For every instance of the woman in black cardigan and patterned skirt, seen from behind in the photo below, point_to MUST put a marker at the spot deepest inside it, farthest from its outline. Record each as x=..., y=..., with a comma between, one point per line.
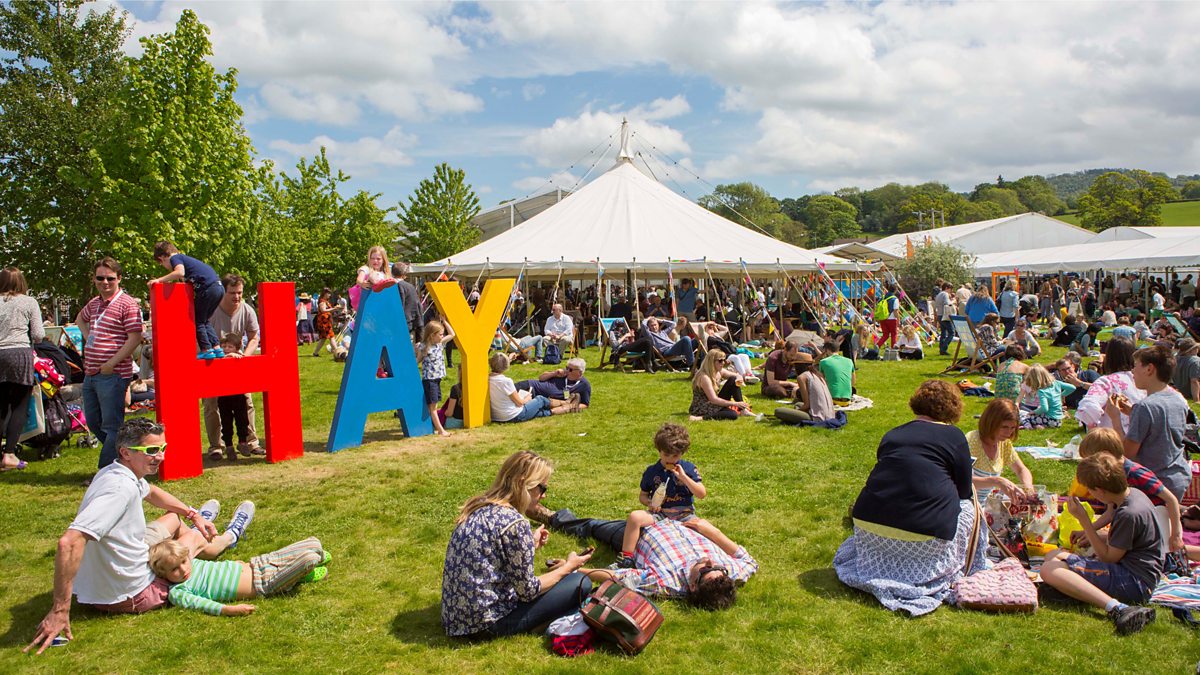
x=915, y=517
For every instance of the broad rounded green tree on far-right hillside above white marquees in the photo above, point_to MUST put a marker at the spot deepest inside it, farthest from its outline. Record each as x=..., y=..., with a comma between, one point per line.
x=1118, y=200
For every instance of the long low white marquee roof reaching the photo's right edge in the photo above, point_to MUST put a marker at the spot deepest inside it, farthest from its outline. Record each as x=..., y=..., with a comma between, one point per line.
x=1163, y=253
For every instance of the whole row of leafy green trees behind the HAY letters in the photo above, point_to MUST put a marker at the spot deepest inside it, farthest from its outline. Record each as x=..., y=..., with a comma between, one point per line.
x=104, y=156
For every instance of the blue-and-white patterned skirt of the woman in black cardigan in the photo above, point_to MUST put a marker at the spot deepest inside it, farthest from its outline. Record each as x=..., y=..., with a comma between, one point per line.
x=915, y=577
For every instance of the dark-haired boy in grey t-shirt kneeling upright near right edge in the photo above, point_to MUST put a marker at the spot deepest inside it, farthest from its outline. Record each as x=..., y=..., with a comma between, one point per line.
x=1155, y=438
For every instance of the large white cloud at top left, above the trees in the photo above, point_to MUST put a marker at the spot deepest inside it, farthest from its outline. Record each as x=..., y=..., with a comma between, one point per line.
x=326, y=62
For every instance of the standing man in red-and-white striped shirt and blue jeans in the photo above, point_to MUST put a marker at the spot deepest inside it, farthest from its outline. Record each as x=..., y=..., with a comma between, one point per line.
x=111, y=325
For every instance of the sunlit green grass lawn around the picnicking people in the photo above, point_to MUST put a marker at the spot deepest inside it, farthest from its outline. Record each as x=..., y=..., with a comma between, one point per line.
x=386, y=512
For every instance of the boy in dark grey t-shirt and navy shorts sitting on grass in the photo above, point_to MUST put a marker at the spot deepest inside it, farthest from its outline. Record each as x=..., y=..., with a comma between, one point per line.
x=1127, y=564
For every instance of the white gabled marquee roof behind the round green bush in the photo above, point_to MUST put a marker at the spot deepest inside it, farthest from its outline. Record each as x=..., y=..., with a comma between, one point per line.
x=1011, y=234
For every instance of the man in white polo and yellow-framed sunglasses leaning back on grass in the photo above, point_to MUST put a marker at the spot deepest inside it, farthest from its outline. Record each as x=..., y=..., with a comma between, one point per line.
x=104, y=557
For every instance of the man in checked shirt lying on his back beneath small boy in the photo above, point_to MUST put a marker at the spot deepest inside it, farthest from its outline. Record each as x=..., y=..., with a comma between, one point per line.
x=689, y=560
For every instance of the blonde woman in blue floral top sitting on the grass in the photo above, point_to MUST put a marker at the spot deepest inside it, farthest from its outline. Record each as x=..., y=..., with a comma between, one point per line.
x=489, y=587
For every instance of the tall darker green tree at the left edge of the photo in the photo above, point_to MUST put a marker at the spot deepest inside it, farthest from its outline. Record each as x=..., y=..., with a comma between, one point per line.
x=59, y=70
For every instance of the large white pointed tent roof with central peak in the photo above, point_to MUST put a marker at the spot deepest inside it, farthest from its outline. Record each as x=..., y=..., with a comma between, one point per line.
x=627, y=222
